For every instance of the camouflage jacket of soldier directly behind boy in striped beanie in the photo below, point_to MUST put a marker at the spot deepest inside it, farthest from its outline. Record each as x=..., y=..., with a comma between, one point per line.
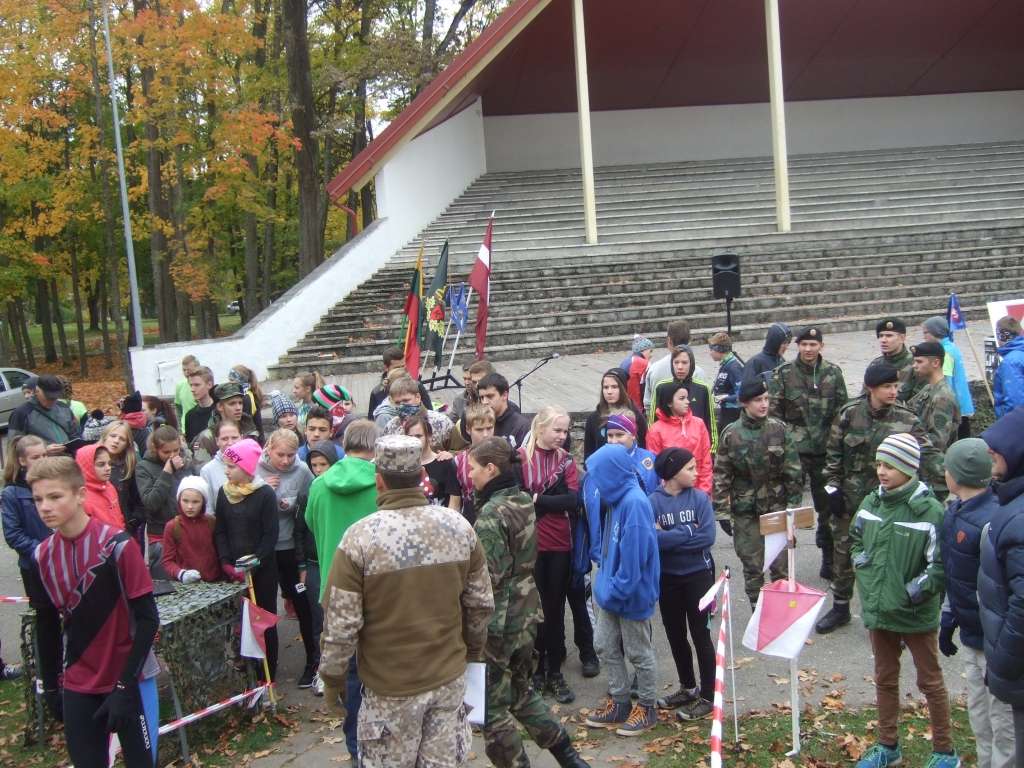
x=856, y=438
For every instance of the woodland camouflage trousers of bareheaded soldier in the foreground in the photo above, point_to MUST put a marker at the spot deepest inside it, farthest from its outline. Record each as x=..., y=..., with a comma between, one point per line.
x=510, y=697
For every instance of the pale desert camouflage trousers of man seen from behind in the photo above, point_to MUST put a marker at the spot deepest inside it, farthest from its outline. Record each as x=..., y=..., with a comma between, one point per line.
x=429, y=731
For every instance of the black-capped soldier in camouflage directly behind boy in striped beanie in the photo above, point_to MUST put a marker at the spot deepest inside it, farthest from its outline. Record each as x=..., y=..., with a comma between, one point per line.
x=859, y=431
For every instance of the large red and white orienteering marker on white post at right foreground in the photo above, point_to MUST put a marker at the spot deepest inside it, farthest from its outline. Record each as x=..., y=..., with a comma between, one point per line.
x=783, y=621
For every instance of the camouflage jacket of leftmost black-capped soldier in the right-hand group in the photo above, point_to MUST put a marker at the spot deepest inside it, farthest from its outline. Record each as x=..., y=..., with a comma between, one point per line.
x=758, y=468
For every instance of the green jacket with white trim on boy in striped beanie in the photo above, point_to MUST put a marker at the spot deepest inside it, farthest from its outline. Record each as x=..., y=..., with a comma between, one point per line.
x=895, y=548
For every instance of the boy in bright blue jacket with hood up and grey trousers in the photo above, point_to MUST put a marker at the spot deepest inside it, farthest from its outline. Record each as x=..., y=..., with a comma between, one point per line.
x=626, y=591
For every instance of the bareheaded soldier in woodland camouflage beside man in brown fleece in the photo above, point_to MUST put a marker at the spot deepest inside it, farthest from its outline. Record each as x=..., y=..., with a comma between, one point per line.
x=505, y=526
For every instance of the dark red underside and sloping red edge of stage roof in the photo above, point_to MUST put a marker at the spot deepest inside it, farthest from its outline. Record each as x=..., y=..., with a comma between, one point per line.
x=657, y=54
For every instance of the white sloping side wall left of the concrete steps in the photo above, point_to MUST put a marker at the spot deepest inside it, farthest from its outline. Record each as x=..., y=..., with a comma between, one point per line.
x=413, y=189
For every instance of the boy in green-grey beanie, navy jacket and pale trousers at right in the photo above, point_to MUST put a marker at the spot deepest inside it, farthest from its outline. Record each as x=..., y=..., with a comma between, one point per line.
x=972, y=504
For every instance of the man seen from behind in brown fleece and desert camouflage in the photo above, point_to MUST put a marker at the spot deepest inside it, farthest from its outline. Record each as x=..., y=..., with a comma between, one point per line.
x=409, y=592
